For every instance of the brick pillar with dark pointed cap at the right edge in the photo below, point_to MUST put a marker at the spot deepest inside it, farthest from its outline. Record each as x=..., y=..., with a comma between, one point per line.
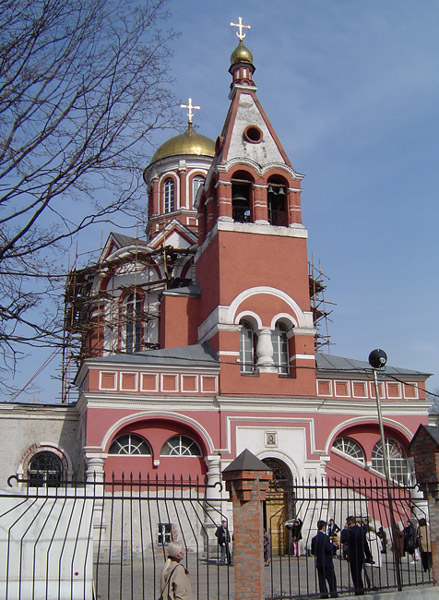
x=425, y=450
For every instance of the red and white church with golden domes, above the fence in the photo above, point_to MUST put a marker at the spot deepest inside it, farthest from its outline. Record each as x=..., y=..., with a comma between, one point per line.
x=198, y=341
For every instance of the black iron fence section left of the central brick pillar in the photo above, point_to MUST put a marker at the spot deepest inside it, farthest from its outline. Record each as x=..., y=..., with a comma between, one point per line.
x=107, y=540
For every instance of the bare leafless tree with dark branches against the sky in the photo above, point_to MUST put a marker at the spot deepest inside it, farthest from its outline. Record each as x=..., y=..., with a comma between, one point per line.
x=83, y=84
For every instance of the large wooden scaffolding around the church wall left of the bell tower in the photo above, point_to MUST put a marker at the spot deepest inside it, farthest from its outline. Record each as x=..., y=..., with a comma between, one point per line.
x=91, y=311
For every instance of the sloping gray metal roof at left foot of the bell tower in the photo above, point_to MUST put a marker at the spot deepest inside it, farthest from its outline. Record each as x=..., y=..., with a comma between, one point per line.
x=196, y=356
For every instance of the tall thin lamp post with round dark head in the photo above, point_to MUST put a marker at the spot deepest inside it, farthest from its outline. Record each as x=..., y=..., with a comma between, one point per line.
x=378, y=360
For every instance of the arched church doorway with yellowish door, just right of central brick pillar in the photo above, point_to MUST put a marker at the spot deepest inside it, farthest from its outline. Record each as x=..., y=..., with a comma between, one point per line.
x=279, y=506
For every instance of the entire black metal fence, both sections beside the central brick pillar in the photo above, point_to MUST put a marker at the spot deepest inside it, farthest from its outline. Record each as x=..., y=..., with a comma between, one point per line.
x=108, y=539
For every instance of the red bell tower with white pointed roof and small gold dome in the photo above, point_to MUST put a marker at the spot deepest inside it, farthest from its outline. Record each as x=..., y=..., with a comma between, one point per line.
x=251, y=263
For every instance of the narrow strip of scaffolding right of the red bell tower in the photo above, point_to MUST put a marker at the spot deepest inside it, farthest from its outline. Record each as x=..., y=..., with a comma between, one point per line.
x=319, y=305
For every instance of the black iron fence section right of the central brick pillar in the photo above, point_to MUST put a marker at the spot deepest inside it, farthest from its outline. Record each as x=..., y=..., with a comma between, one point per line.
x=293, y=576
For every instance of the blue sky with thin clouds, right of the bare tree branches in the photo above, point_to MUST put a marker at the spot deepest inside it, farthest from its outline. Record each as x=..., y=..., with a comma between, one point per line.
x=352, y=90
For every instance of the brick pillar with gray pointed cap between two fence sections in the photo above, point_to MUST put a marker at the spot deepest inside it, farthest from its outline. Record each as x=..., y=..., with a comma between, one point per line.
x=247, y=479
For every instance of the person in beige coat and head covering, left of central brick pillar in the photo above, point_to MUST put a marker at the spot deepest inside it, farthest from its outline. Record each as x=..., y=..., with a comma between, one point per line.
x=175, y=584
